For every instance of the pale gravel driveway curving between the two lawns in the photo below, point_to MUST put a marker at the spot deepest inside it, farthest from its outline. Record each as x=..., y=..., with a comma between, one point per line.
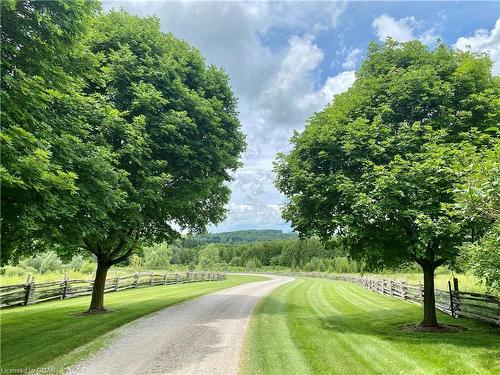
x=202, y=336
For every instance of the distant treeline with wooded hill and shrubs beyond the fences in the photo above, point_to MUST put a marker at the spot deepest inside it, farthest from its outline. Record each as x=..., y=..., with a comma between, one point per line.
x=220, y=251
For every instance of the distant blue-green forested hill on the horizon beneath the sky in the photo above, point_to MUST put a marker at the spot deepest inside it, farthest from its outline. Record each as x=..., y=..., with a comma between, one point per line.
x=243, y=236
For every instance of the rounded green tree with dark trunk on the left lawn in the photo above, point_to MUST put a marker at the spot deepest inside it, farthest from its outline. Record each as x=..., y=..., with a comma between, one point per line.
x=179, y=139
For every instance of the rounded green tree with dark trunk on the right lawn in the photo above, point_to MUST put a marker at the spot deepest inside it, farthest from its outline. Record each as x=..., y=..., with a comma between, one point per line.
x=378, y=166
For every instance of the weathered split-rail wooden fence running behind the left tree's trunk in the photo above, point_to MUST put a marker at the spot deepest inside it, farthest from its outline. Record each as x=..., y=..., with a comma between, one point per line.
x=31, y=292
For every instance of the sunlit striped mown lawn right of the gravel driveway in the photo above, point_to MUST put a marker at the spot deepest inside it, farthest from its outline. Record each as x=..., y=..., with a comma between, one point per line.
x=316, y=326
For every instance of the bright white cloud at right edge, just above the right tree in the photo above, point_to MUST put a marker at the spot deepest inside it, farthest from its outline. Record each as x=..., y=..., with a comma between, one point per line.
x=484, y=41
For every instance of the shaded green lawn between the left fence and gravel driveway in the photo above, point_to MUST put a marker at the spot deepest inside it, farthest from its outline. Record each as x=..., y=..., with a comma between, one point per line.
x=41, y=335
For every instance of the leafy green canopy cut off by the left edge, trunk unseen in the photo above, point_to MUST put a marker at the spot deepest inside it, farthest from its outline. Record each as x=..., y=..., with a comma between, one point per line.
x=45, y=118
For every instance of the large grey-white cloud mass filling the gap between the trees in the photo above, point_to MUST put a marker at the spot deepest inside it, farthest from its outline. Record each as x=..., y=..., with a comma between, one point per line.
x=278, y=88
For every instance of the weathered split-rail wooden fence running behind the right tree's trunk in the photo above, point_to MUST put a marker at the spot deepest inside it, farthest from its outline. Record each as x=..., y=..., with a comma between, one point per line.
x=453, y=302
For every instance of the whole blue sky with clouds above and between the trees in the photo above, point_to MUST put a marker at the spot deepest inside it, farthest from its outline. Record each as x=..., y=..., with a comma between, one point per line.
x=287, y=60
